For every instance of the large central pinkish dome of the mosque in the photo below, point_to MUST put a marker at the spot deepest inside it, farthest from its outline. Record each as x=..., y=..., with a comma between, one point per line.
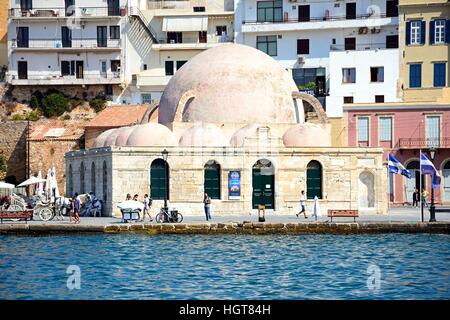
x=231, y=83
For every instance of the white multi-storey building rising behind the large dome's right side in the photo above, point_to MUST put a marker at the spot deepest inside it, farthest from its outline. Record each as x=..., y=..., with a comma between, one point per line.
x=317, y=39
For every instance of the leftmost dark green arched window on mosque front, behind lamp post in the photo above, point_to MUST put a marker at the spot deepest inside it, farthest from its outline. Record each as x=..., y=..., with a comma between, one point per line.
x=159, y=179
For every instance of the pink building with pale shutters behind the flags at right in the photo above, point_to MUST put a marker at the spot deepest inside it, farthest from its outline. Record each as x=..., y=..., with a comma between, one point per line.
x=404, y=129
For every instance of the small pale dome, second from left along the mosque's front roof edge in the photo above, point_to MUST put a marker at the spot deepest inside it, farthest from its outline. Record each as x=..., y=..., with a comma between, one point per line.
x=204, y=135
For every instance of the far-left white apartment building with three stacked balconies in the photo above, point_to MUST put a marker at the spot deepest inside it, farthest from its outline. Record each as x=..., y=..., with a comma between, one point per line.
x=66, y=43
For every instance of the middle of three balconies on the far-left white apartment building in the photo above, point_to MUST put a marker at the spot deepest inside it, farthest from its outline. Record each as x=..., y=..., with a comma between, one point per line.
x=75, y=45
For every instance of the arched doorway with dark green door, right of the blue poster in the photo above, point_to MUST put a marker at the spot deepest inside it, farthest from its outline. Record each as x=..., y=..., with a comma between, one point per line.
x=263, y=182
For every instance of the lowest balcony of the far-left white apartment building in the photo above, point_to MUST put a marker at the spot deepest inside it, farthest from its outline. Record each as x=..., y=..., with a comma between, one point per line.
x=51, y=79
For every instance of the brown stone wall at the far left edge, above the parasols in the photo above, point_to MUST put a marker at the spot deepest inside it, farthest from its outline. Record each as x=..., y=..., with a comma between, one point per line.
x=13, y=135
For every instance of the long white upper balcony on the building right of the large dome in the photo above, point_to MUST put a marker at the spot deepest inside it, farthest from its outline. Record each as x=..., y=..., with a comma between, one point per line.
x=315, y=23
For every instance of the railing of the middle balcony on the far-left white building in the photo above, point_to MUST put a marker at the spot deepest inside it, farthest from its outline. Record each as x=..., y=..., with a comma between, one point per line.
x=85, y=43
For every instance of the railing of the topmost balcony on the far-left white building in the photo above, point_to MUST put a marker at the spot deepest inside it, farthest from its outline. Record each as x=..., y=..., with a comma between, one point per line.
x=69, y=12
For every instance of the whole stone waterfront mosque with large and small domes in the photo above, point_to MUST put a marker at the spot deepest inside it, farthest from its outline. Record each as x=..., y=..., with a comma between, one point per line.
x=233, y=124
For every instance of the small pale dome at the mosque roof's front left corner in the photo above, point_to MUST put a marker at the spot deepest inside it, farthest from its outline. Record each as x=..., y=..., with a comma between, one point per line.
x=151, y=134
